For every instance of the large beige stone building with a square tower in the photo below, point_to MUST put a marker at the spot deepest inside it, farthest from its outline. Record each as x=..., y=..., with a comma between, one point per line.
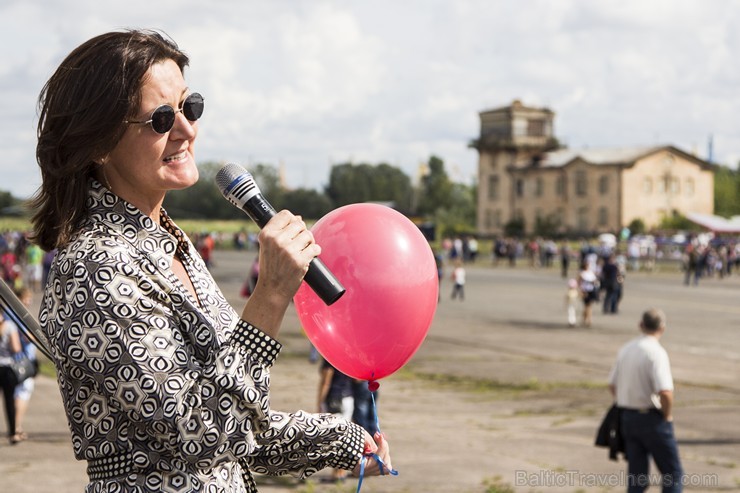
x=524, y=174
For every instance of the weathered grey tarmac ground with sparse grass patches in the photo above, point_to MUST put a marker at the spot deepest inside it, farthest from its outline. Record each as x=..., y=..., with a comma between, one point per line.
x=502, y=395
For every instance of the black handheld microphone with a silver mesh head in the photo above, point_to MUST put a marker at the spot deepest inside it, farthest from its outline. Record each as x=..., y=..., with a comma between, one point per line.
x=238, y=187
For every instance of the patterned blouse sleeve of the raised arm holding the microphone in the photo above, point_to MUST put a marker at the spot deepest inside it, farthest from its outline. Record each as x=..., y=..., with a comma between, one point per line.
x=129, y=374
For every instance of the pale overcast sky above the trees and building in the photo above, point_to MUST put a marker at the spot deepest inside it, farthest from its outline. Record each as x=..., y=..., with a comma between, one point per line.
x=308, y=84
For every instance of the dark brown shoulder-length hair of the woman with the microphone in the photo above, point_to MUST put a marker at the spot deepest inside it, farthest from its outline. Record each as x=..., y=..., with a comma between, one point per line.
x=82, y=113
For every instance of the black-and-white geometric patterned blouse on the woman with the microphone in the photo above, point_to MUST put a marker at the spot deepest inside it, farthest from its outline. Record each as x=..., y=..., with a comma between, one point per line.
x=165, y=392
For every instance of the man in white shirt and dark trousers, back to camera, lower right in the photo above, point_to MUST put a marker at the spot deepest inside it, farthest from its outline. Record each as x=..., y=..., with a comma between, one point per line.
x=642, y=384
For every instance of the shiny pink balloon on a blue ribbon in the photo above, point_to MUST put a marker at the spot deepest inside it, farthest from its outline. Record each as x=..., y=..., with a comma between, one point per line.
x=388, y=269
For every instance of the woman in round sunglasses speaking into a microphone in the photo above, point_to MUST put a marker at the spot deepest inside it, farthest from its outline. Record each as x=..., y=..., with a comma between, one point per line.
x=164, y=385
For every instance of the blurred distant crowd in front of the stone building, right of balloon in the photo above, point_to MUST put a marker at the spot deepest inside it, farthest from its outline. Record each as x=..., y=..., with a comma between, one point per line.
x=601, y=268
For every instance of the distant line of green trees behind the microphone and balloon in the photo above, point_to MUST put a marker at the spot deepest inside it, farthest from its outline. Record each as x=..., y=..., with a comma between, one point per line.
x=434, y=198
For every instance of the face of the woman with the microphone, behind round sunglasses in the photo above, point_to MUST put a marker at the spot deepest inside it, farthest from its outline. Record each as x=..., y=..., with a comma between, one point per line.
x=144, y=165
